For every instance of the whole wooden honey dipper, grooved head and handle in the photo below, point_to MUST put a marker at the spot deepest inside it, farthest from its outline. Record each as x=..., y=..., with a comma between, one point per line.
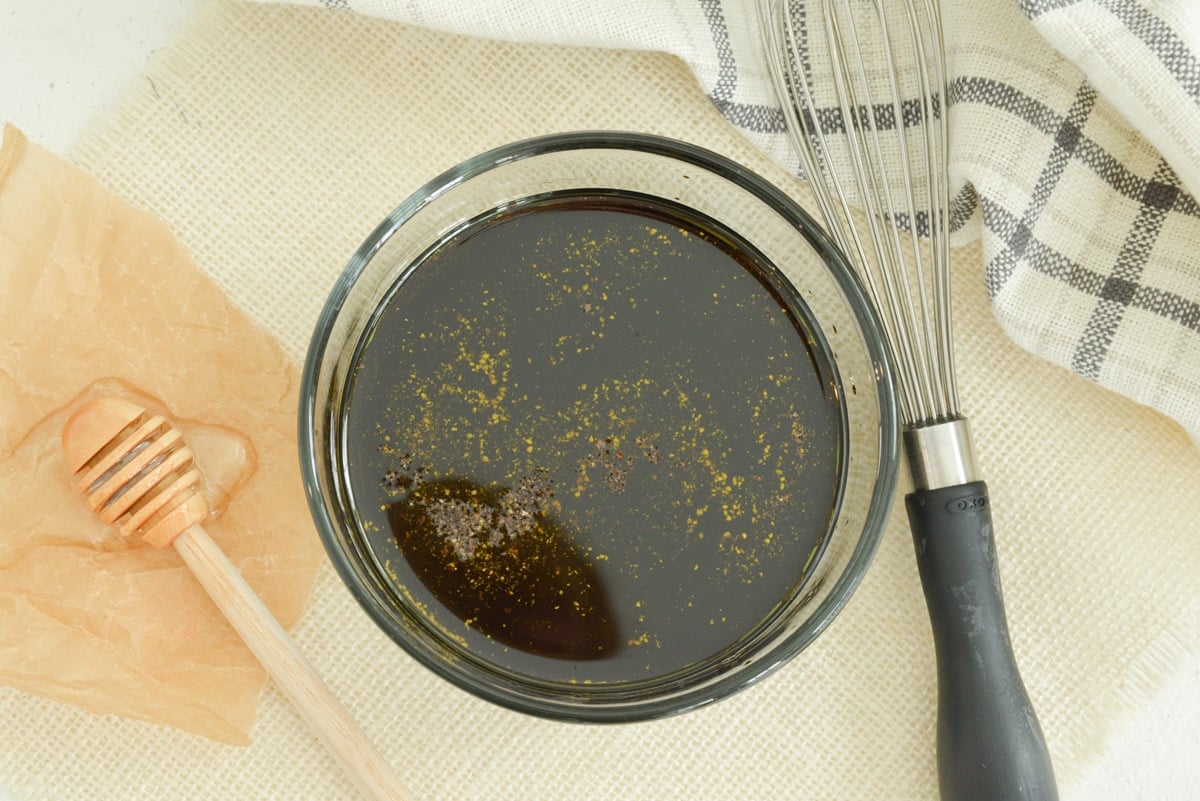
x=134, y=469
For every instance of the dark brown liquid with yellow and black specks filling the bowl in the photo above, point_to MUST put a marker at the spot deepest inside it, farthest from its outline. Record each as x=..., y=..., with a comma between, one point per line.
x=589, y=439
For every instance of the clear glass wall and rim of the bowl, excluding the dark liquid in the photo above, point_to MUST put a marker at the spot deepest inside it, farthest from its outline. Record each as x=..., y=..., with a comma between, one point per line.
x=845, y=328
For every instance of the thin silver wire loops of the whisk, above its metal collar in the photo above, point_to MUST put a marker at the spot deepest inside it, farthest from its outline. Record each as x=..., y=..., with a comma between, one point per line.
x=908, y=278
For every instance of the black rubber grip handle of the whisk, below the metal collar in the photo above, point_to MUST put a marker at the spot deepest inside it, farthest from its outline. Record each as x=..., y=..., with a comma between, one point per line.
x=989, y=743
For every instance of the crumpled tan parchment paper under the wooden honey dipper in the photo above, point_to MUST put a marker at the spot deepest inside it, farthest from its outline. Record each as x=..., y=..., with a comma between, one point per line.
x=98, y=297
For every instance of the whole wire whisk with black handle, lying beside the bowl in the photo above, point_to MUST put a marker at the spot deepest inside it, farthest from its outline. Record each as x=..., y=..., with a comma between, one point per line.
x=863, y=85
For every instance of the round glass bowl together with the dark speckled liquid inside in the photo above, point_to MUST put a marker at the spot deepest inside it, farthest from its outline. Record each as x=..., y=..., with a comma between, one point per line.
x=410, y=505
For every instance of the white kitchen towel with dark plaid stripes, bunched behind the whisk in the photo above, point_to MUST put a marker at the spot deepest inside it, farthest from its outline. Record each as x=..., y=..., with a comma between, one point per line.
x=1073, y=155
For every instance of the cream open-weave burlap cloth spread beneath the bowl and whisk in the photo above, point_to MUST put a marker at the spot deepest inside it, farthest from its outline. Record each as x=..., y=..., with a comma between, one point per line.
x=274, y=138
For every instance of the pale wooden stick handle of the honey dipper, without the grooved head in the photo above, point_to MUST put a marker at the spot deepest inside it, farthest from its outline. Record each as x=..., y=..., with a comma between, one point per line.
x=289, y=667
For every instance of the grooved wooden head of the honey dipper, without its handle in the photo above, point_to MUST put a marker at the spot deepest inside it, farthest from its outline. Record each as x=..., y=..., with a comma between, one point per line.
x=134, y=469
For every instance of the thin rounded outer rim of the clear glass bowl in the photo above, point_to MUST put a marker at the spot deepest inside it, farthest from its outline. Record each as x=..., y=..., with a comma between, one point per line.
x=849, y=282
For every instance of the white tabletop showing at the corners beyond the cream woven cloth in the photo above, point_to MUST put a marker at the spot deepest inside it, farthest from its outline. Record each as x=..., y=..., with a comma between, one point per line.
x=63, y=62
